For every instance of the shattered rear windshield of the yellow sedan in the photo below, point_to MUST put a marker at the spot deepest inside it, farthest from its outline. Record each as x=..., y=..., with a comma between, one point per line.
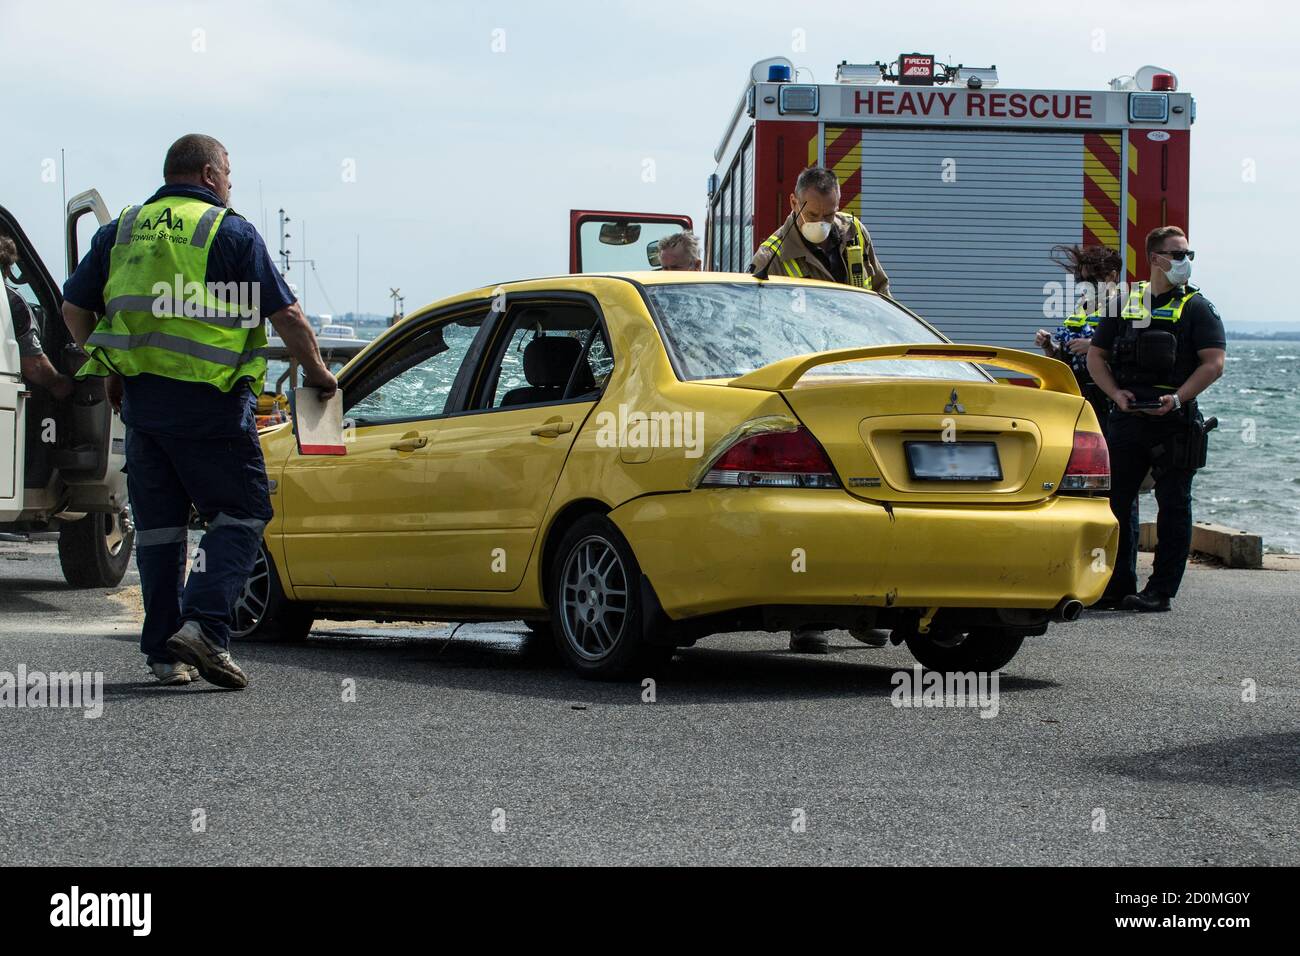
x=722, y=330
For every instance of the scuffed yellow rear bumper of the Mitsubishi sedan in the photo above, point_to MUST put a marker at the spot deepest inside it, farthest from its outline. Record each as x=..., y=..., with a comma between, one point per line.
x=713, y=551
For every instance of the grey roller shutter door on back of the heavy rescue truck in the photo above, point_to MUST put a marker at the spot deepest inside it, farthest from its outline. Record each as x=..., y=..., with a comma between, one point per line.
x=965, y=220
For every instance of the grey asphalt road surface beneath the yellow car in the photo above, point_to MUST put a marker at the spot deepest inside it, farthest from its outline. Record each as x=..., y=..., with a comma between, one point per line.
x=1120, y=739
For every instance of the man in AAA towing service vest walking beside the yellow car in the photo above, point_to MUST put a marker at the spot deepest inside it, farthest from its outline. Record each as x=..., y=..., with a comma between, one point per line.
x=183, y=284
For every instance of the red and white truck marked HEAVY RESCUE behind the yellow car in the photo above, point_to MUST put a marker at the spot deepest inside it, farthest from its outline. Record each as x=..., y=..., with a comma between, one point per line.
x=964, y=185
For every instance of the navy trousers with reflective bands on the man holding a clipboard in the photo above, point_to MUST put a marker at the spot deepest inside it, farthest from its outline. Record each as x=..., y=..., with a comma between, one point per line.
x=226, y=481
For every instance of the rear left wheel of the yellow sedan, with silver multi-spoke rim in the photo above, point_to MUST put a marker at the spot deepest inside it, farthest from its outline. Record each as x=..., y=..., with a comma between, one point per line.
x=597, y=616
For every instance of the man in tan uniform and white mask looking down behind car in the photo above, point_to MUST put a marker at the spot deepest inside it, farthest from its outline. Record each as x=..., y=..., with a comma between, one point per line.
x=818, y=241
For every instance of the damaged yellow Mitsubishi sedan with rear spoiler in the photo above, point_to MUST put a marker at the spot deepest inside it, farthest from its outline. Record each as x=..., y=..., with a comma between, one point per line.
x=634, y=462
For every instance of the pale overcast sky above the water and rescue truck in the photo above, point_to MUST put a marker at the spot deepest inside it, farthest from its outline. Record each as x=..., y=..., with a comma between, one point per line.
x=475, y=128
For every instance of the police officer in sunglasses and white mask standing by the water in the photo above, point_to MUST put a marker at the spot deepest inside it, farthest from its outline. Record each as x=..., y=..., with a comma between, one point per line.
x=1154, y=360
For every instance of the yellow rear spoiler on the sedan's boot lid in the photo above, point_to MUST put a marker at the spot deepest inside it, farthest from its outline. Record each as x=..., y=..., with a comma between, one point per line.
x=782, y=375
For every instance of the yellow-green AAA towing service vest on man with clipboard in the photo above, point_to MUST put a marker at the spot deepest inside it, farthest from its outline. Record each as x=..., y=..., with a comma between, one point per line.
x=188, y=332
